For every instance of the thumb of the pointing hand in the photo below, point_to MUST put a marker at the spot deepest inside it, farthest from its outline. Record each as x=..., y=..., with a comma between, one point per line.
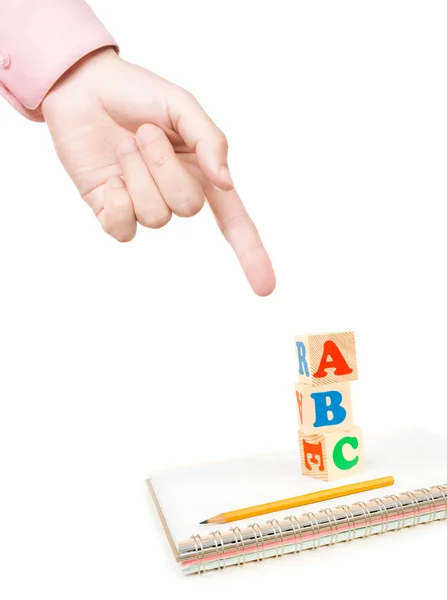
x=203, y=137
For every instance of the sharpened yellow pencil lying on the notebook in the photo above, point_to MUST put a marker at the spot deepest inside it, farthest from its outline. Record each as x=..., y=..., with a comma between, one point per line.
x=320, y=496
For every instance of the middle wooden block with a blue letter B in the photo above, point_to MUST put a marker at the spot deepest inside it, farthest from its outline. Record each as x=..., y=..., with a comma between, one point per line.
x=324, y=408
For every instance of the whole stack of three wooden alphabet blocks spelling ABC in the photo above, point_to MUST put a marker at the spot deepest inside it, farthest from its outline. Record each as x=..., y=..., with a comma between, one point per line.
x=331, y=446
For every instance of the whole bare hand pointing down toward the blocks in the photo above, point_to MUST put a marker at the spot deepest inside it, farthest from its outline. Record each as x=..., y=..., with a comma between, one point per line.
x=139, y=148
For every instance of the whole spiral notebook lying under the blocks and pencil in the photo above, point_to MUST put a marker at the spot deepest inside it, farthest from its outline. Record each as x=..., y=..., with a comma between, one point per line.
x=187, y=495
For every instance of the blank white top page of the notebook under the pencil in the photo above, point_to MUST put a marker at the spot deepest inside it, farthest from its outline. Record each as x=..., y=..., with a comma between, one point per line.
x=188, y=495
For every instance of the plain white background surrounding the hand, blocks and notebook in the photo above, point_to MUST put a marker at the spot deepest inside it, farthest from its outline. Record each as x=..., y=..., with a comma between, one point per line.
x=120, y=359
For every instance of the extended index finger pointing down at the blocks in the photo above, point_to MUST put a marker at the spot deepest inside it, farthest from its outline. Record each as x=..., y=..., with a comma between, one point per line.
x=242, y=235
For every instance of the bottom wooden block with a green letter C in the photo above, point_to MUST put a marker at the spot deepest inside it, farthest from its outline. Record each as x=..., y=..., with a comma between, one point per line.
x=332, y=456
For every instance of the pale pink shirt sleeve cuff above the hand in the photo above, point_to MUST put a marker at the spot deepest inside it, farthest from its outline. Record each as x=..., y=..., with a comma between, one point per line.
x=39, y=41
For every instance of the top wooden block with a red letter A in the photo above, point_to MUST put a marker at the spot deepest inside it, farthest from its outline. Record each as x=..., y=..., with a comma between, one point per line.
x=326, y=358
